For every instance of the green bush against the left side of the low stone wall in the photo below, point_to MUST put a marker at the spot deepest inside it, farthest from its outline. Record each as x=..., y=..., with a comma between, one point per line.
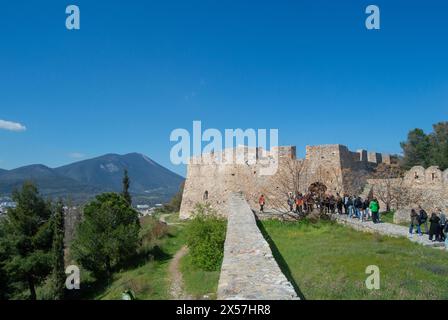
x=206, y=234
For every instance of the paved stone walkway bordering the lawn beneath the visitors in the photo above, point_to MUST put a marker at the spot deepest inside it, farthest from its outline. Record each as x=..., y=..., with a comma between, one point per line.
x=387, y=229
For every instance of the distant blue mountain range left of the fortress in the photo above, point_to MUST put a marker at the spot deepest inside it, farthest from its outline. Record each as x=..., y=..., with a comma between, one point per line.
x=80, y=181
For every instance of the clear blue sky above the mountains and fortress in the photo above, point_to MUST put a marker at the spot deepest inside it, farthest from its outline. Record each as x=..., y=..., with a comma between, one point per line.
x=139, y=69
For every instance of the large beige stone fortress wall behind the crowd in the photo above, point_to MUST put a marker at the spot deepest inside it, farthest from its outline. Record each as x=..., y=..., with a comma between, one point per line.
x=211, y=178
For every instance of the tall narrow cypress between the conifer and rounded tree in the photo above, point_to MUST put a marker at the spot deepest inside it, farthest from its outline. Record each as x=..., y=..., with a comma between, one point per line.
x=58, y=275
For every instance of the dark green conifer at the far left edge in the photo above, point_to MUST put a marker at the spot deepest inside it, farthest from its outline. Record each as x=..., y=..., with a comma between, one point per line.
x=28, y=234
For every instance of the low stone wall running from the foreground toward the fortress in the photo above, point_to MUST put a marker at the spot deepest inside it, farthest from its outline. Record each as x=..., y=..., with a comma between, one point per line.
x=249, y=270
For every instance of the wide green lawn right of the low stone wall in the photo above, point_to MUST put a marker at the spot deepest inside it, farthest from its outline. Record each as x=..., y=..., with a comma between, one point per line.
x=328, y=261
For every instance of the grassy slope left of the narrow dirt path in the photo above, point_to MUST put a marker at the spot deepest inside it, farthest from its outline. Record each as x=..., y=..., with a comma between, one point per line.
x=149, y=280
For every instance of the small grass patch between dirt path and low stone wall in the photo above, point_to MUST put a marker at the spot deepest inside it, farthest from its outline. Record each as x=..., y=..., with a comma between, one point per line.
x=198, y=283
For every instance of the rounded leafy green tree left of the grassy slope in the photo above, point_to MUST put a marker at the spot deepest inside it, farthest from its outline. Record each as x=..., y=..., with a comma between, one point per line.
x=107, y=236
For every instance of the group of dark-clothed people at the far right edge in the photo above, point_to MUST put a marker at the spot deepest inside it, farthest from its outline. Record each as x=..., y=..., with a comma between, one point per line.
x=438, y=226
